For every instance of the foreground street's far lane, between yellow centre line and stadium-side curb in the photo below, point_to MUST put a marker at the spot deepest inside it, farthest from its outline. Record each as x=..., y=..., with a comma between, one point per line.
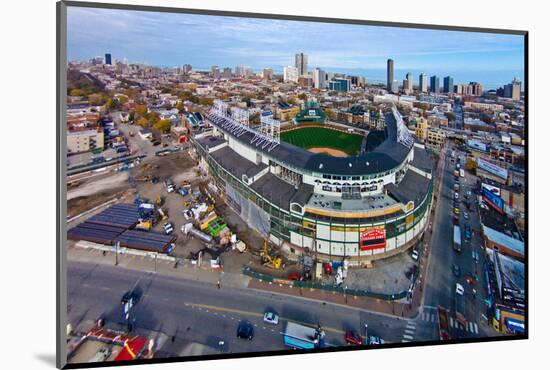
x=159, y=289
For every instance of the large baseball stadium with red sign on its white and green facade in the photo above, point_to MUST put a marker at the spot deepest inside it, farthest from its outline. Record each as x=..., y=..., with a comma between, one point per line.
x=316, y=186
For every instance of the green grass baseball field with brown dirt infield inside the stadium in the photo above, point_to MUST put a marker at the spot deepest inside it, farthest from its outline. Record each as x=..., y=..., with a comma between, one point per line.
x=324, y=140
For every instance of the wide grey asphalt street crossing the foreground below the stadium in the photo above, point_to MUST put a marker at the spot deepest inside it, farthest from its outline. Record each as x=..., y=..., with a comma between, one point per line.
x=197, y=312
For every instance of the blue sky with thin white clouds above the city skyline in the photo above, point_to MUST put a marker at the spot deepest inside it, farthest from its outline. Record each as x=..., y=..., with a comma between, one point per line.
x=168, y=39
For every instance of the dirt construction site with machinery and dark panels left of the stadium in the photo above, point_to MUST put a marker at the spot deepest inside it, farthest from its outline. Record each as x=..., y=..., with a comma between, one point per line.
x=166, y=206
